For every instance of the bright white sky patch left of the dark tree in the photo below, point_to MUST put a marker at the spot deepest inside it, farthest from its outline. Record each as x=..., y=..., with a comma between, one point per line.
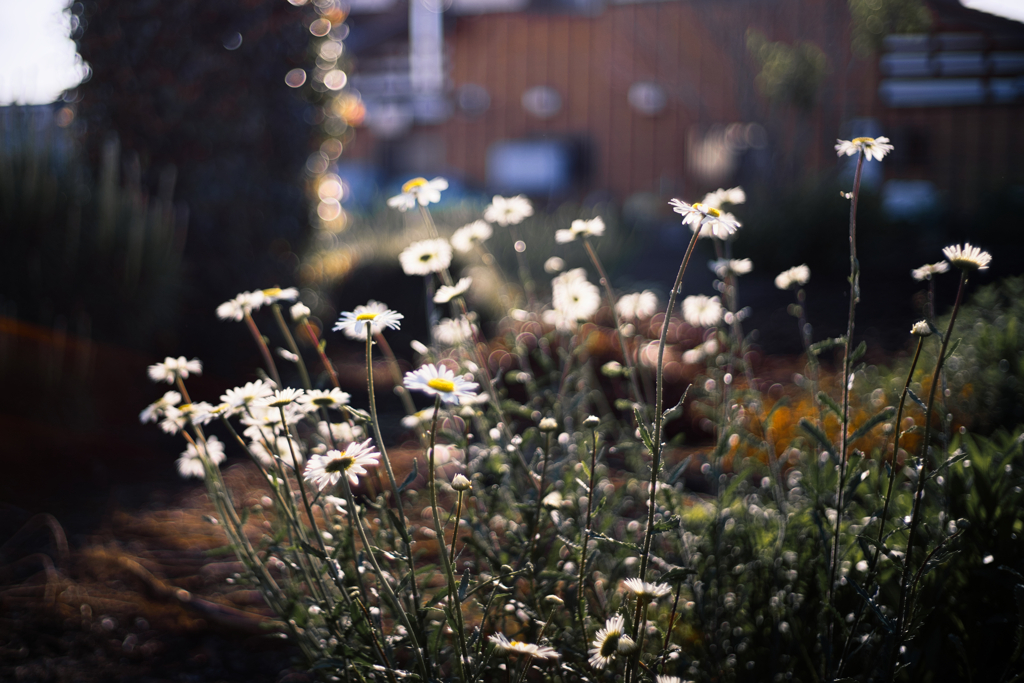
x=37, y=59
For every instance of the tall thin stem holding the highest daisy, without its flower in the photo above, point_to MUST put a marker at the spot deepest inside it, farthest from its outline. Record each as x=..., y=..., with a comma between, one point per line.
x=845, y=435
